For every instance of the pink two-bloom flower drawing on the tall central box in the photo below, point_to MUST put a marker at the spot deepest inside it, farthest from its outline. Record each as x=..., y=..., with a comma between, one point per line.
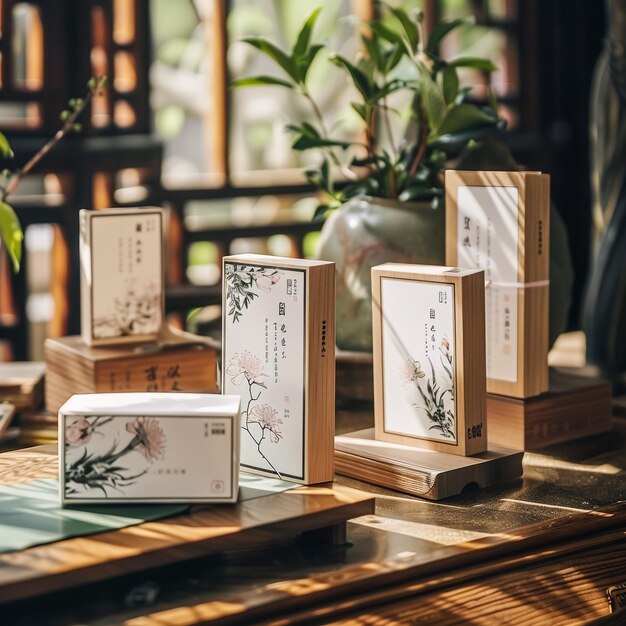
x=260, y=421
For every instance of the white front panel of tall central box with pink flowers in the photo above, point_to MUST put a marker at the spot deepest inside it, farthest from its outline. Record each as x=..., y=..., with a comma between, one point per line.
x=264, y=361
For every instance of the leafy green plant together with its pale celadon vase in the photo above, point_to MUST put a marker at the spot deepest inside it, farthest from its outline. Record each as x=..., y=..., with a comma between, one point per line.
x=390, y=191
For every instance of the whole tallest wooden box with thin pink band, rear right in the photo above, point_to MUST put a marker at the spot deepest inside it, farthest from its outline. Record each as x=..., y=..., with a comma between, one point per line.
x=498, y=222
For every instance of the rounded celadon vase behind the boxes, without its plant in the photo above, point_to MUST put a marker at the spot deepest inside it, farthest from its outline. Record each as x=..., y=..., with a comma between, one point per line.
x=365, y=232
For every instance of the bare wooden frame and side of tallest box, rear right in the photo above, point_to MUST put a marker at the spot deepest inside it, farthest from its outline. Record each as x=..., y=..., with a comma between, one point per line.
x=533, y=259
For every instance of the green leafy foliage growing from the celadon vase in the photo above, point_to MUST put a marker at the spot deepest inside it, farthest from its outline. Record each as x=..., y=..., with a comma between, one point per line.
x=397, y=58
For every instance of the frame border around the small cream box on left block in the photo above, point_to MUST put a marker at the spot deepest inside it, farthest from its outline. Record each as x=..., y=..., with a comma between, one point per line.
x=87, y=219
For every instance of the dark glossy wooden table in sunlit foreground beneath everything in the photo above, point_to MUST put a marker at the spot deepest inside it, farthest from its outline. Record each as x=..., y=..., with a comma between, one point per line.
x=542, y=550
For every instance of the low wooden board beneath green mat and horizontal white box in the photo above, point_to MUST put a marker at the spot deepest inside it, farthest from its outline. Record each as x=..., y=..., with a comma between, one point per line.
x=205, y=530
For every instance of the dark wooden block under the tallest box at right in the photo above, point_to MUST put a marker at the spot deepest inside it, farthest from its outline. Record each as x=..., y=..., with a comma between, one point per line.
x=574, y=407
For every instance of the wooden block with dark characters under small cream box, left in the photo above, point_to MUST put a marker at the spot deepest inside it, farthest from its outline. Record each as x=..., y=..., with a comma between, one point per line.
x=173, y=363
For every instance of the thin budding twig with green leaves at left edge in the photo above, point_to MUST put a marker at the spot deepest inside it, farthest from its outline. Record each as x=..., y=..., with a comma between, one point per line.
x=10, y=229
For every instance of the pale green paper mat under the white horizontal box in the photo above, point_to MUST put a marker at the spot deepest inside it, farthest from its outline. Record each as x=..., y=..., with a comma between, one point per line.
x=30, y=513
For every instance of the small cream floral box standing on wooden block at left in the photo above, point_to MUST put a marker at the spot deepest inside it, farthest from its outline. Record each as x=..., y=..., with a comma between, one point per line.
x=121, y=259
